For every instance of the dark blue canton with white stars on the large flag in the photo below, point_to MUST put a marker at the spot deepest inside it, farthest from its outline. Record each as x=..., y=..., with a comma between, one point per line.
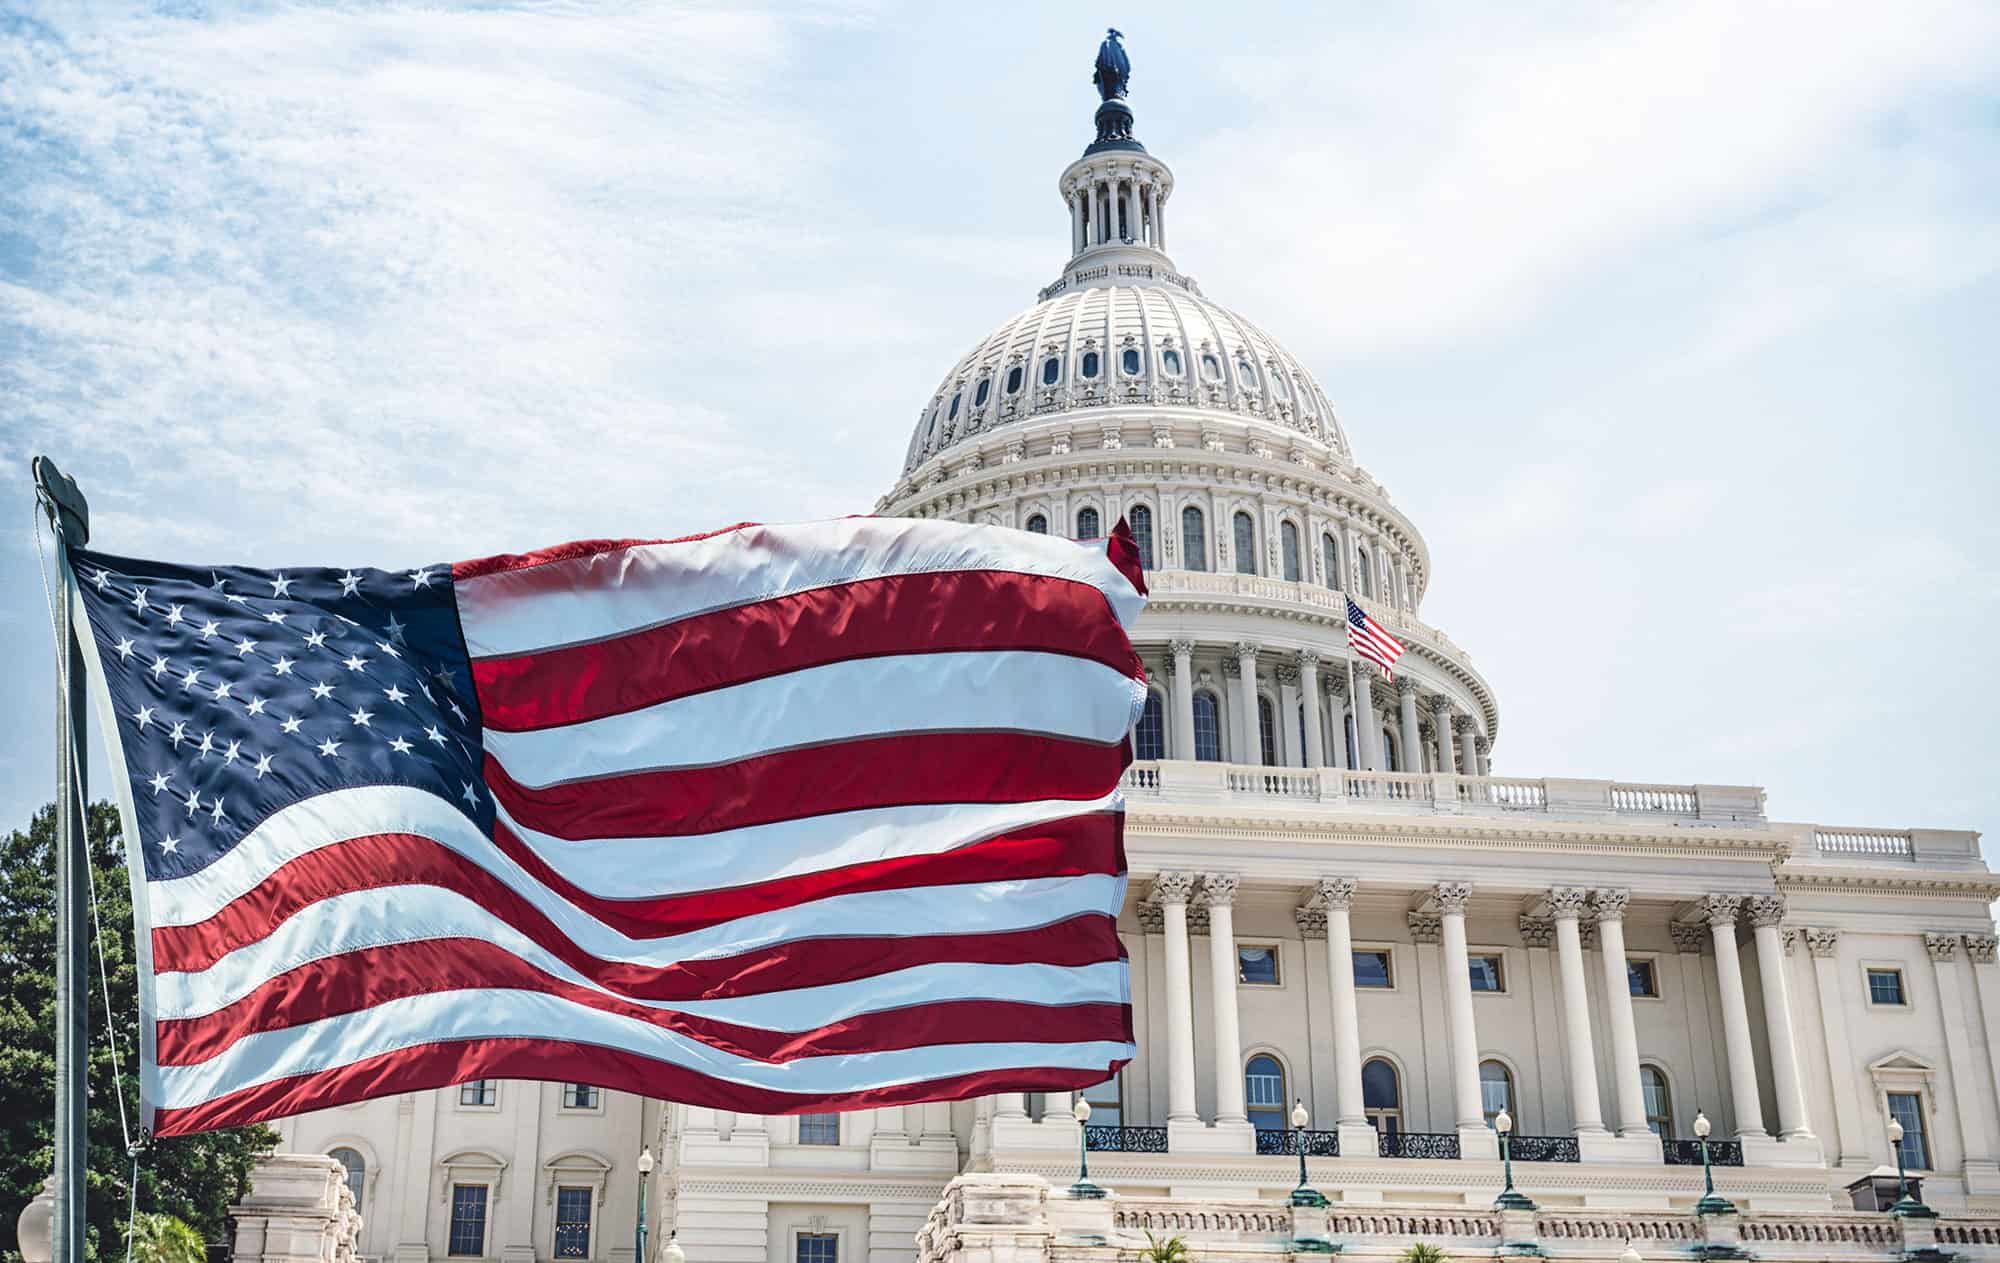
x=241, y=692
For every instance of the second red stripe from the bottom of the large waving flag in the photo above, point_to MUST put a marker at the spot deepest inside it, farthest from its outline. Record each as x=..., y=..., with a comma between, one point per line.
x=357, y=980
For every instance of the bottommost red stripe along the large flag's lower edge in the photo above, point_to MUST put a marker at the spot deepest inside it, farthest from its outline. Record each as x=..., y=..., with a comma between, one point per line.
x=445, y=1064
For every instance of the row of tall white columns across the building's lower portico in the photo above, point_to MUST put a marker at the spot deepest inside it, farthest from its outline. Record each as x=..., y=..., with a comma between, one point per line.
x=1559, y=920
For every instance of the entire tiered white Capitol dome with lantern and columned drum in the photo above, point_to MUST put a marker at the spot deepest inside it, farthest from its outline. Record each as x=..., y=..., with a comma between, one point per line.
x=1127, y=393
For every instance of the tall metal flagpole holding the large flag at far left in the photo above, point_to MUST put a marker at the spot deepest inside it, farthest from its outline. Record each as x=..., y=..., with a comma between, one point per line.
x=69, y=515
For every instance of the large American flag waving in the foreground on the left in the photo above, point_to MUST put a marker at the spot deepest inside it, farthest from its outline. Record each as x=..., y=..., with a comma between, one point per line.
x=785, y=818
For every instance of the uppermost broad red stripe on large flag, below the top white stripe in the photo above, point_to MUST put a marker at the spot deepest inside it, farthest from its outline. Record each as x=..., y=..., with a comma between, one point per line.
x=869, y=619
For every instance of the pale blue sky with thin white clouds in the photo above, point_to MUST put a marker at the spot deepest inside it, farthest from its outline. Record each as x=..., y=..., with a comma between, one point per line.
x=1669, y=325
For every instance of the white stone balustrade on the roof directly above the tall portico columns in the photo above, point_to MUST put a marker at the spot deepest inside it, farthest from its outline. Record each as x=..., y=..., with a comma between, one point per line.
x=1431, y=792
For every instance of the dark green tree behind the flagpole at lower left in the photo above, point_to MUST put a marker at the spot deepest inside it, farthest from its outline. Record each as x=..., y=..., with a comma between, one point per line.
x=189, y=1178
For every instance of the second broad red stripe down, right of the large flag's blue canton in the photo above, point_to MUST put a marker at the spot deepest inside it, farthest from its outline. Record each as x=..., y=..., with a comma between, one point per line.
x=901, y=770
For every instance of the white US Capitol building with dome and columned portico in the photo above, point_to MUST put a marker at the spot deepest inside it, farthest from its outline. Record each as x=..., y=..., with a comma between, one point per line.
x=1337, y=900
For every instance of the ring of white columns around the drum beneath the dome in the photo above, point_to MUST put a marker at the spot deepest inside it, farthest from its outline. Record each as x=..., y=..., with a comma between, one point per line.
x=1453, y=736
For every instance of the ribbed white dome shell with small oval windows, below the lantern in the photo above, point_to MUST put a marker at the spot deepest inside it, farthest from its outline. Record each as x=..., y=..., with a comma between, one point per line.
x=1081, y=345
